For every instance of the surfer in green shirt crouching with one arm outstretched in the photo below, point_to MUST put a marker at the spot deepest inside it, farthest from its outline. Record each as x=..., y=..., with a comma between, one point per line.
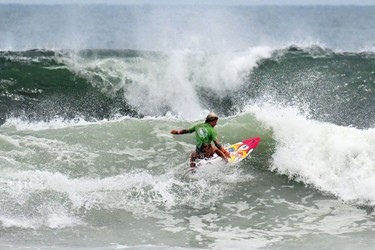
x=205, y=134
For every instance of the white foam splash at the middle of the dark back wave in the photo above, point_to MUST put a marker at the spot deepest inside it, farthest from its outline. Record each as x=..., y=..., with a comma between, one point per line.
x=154, y=84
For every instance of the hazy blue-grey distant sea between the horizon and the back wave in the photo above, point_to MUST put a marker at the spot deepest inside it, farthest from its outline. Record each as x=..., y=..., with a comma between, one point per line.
x=169, y=28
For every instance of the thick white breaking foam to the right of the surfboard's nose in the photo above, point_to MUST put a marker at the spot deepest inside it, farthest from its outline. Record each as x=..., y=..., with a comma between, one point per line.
x=335, y=159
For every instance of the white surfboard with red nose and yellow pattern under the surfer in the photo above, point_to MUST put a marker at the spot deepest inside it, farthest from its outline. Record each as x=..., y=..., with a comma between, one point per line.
x=238, y=152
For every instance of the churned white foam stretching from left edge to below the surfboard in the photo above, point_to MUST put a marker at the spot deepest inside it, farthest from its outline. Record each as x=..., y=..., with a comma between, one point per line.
x=139, y=192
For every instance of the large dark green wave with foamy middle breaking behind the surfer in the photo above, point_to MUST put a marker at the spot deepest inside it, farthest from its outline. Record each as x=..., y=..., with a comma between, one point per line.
x=101, y=84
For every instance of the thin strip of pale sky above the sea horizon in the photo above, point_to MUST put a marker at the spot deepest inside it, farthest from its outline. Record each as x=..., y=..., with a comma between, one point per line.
x=198, y=2
